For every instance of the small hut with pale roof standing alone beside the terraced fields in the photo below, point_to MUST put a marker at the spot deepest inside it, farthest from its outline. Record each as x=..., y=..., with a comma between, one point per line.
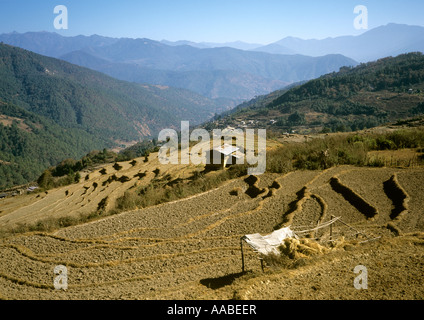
x=222, y=157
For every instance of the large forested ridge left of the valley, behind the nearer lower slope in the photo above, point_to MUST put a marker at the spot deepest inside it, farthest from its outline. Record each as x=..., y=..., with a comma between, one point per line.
x=73, y=96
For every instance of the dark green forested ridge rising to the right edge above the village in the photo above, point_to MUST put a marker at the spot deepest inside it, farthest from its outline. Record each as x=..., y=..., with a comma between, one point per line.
x=353, y=98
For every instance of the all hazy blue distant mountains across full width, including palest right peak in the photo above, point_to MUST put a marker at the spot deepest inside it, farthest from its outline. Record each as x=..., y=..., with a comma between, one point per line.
x=236, y=70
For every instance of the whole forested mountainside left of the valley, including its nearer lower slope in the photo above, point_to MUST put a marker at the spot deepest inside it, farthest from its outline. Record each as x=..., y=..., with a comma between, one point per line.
x=51, y=110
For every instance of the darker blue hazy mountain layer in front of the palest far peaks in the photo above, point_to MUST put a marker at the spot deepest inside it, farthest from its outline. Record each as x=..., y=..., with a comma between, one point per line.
x=219, y=72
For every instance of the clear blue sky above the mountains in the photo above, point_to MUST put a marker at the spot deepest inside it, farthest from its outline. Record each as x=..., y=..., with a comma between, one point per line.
x=253, y=21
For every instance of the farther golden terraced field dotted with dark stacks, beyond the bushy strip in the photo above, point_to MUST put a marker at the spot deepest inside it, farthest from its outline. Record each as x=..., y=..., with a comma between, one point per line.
x=100, y=187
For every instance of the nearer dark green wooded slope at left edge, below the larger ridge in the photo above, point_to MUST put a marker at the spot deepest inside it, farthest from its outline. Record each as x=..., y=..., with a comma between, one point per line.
x=30, y=143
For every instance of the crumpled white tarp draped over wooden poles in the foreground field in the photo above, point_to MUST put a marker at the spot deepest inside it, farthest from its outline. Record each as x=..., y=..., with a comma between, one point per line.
x=269, y=243
